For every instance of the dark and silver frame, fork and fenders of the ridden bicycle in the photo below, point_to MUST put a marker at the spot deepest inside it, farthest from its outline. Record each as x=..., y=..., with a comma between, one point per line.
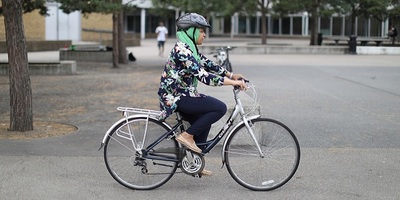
x=210, y=144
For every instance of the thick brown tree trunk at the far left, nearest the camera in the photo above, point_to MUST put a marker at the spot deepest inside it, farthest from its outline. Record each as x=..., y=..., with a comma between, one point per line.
x=21, y=118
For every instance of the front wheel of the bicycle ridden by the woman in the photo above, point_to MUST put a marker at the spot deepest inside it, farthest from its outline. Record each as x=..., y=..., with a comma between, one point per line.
x=267, y=171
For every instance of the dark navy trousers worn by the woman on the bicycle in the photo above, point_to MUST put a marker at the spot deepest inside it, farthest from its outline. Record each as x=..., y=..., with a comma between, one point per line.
x=201, y=113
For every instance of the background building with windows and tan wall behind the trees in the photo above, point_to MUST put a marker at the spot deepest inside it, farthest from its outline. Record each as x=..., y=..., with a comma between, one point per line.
x=142, y=23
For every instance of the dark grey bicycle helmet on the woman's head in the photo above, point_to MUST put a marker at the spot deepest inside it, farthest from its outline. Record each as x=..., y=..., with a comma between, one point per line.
x=191, y=20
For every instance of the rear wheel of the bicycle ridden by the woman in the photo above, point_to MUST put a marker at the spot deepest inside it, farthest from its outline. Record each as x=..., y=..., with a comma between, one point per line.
x=127, y=166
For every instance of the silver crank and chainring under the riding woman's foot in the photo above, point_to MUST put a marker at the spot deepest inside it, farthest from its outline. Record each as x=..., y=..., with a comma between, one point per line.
x=192, y=163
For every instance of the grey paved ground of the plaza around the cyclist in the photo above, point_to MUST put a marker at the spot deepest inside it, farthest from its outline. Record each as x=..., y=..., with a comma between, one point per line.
x=343, y=108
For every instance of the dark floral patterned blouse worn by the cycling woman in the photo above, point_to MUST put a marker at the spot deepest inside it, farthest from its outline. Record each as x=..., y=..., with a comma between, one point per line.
x=181, y=74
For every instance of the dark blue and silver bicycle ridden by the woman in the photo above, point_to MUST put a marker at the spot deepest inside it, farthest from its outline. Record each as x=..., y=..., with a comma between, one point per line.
x=260, y=154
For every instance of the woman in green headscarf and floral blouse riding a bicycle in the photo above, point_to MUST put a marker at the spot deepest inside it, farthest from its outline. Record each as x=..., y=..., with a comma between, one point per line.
x=178, y=86
